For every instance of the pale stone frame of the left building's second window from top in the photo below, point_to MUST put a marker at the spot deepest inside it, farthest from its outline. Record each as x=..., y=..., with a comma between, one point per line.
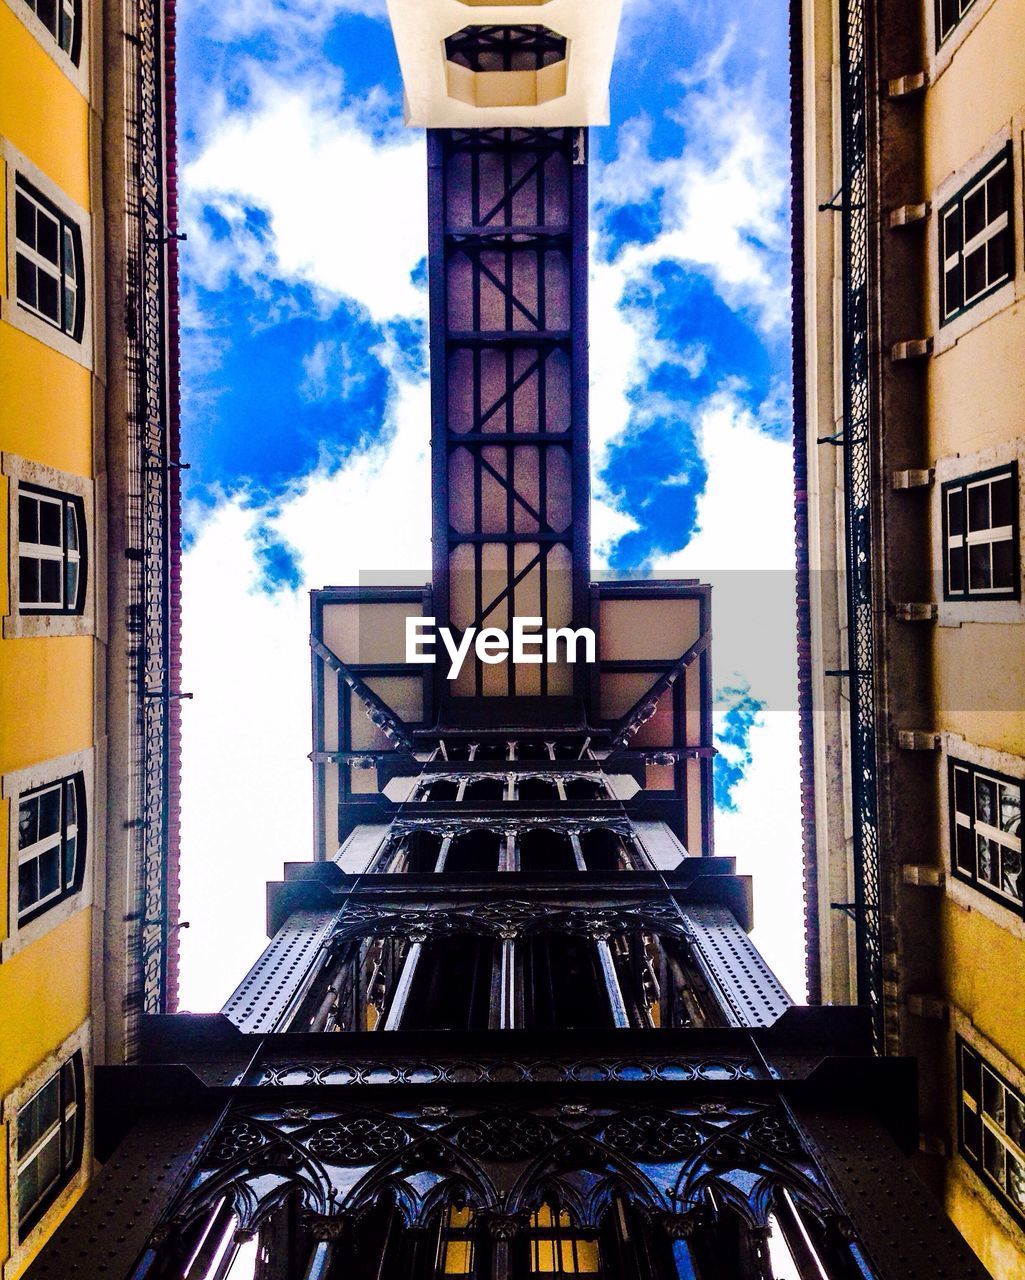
x=20, y=314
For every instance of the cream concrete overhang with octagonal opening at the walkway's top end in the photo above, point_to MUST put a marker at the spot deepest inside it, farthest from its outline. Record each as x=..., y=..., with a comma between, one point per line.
x=440, y=95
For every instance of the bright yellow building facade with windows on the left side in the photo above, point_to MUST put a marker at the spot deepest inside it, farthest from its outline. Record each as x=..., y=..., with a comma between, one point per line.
x=74, y=906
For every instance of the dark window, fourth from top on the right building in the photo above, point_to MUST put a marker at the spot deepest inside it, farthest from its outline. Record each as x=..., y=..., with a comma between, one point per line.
x=986, y=831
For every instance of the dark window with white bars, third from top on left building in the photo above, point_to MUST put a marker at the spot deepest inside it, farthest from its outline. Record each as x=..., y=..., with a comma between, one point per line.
x=52, y=563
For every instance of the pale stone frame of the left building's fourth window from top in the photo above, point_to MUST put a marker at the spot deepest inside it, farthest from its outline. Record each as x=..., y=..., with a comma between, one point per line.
x=21, y=932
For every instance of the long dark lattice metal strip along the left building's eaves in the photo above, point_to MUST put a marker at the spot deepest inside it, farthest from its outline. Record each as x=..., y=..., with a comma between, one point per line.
x=153, y=490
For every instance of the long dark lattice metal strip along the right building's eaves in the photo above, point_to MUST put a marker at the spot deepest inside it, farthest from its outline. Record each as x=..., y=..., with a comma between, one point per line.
x=858, y=477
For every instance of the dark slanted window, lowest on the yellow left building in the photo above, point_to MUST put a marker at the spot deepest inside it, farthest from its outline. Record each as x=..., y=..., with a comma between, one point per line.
x=49, y=1144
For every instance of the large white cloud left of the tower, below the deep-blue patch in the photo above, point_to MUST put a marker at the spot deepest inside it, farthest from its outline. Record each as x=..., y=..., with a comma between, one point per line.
x=246, y=781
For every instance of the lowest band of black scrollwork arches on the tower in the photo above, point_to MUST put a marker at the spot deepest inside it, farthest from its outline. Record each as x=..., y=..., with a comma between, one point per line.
x=667, y=1162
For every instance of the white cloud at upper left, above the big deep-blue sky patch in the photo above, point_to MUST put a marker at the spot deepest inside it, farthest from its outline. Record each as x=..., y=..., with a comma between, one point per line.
x=346, y=211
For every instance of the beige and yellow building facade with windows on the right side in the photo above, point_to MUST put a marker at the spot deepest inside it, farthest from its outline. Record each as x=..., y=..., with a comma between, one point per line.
x=910, y=401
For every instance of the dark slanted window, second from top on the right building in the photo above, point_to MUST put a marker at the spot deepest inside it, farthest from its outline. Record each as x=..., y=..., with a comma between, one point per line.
x=977, y=246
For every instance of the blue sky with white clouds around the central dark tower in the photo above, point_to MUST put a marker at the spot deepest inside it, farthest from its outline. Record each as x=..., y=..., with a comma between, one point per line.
x=306, y=410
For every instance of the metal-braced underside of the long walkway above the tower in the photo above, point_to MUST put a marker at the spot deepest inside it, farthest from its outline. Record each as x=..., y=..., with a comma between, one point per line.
x=509, y=382
